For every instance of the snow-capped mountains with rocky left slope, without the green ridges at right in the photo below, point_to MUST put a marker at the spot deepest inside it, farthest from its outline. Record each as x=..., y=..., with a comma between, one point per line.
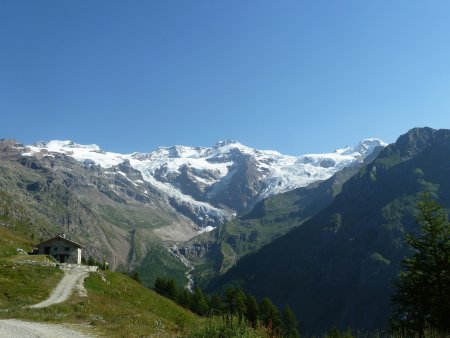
x=131, y=208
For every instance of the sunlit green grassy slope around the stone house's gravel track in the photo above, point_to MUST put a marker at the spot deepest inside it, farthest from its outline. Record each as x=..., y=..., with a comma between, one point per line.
x=116, y=306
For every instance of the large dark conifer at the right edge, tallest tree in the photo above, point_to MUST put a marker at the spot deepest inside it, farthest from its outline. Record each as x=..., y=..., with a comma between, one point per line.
x=423, y=288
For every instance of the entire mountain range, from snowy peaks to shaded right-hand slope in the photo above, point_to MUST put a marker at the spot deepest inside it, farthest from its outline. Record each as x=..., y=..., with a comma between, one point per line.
x=320, y=232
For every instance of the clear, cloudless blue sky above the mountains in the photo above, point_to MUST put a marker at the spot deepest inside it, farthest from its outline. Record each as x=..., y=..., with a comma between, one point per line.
x=294, y=76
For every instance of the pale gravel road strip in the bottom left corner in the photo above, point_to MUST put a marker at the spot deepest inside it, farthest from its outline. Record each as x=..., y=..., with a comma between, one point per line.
x=13, y=328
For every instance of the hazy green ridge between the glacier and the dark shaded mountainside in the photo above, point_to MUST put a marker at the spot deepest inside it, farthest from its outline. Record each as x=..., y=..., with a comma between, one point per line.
x=215, y=252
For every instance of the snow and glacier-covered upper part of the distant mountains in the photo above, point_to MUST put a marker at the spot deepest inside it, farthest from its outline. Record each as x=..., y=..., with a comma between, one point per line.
x=212, y=184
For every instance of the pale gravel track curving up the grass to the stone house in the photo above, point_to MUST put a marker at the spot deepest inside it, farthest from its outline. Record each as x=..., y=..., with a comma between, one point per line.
x=71, y=280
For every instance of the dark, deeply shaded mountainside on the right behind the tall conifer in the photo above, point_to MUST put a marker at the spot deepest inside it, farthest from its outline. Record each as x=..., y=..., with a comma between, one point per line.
x=338, y=268
